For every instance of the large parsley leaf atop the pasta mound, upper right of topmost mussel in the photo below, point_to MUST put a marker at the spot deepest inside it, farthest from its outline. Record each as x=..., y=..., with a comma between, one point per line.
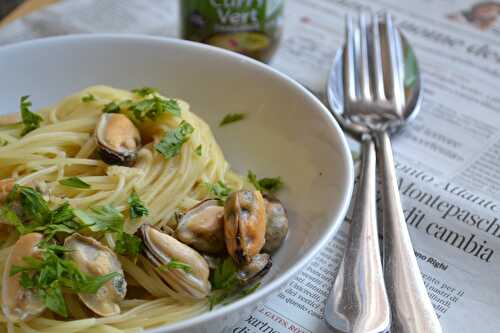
x=154, y=107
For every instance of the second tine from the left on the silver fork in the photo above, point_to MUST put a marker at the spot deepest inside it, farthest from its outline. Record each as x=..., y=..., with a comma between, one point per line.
x=363, y=68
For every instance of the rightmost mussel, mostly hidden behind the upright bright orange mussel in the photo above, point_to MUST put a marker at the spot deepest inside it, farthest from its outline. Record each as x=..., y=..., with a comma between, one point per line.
x=276, y=226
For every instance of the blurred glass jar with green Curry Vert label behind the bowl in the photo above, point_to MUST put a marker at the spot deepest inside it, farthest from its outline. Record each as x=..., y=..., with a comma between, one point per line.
x=249, y=27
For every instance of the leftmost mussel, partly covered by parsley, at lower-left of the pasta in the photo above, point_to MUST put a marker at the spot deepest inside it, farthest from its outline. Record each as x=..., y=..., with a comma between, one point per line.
x=18, y=303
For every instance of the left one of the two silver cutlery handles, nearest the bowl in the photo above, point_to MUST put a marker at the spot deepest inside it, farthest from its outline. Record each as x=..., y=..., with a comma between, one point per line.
x=358, y=301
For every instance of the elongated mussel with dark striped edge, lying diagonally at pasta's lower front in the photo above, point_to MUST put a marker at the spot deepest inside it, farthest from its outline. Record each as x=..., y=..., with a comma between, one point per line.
x=161, y=249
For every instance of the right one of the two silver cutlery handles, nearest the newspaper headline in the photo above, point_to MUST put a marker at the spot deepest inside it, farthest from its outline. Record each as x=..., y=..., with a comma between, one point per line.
x=411, y=308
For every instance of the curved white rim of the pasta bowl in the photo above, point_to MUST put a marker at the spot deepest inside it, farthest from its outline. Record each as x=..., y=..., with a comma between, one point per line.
x=321, y=110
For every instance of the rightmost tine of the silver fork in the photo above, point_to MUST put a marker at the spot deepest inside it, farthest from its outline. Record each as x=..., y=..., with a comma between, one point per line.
x=395, y=67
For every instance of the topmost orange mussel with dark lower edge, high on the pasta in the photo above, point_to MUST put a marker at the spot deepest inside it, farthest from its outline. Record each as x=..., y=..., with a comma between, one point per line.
x=118, y=139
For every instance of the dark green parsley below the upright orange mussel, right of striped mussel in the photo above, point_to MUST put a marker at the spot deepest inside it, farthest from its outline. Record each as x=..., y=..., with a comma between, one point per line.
x=225, y=284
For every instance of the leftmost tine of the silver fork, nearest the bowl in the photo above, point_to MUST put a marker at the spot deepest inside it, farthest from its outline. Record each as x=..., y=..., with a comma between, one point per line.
x=349, y=61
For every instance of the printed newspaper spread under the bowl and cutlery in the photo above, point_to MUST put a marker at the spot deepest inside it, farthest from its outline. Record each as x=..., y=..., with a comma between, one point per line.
x=447, y=160
